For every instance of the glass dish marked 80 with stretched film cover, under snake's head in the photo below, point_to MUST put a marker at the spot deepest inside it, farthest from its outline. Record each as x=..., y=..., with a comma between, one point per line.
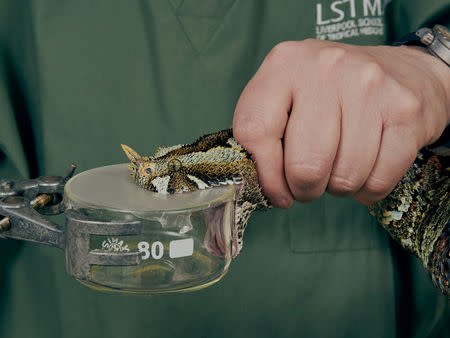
x=183, y=241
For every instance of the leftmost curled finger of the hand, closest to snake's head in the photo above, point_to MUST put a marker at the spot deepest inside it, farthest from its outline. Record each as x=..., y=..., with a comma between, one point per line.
x=259, y=122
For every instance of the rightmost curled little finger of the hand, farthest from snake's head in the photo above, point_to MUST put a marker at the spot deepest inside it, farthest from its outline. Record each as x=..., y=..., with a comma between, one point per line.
x=394, y=158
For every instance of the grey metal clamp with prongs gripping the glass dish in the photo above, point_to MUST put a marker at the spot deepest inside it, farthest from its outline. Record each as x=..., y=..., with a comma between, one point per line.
x=22, y=203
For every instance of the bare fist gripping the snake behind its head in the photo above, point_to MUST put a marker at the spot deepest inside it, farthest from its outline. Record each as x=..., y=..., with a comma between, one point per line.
x=323, y=116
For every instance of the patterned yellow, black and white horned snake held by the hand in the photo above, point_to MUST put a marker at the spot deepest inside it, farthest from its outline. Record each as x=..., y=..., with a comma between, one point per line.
x=416, y=213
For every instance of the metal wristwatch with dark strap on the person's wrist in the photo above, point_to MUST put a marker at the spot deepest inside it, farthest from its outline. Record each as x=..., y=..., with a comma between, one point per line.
x=436, y=40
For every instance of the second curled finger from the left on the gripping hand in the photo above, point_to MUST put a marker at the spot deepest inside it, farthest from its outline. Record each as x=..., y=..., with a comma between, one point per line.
x=311, y=141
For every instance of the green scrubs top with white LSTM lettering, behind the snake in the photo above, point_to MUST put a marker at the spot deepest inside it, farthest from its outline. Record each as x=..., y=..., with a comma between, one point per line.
x=77, y=78
